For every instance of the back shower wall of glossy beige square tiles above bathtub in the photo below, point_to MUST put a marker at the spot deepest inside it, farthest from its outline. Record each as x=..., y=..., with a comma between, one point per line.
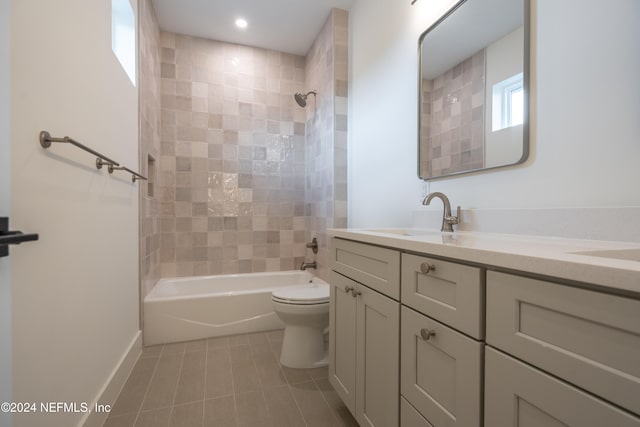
x=232, y=161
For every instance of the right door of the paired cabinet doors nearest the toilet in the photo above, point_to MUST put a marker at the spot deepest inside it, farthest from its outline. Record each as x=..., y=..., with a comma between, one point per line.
x=378, y=336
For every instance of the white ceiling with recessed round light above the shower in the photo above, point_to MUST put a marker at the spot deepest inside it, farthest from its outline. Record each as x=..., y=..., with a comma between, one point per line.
x=285, y=25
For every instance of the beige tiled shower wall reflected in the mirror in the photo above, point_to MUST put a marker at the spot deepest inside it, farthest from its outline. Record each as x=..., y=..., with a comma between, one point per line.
x=456, y=142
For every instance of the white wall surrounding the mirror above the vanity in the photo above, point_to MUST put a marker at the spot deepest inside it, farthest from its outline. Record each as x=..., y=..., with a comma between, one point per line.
x=584, y=124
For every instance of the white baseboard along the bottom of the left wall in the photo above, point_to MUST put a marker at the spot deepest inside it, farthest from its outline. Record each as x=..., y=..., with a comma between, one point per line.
x=112, y=387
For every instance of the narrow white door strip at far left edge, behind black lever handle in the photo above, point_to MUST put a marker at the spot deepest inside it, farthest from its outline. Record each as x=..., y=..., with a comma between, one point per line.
x=5, y=199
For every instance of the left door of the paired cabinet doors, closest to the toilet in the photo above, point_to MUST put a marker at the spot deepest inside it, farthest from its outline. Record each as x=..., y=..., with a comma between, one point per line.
x=342, y=339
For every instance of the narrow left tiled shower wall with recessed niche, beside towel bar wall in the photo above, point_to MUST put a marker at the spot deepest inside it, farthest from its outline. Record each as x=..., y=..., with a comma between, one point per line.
x=149, y=116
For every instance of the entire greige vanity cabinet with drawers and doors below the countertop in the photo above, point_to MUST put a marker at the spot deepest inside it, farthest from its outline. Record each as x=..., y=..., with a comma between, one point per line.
x=430, y=342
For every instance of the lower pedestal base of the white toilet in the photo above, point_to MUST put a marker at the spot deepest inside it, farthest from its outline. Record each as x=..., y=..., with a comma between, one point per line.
x=303, y=348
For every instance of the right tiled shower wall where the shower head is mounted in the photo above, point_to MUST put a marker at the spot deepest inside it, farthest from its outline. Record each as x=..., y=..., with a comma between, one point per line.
x=326, y=133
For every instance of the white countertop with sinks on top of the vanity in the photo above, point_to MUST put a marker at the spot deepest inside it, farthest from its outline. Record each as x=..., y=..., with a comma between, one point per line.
x=608, y=264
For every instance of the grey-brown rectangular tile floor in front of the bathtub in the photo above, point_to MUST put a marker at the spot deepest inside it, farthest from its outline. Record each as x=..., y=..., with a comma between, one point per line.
x=228, y=381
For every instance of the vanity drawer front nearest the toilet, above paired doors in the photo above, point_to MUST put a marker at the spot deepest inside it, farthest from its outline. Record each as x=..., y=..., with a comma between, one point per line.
x=373, y=266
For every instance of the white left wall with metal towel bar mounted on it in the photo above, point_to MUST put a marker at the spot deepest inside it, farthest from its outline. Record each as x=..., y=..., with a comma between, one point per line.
x=75, y=291
